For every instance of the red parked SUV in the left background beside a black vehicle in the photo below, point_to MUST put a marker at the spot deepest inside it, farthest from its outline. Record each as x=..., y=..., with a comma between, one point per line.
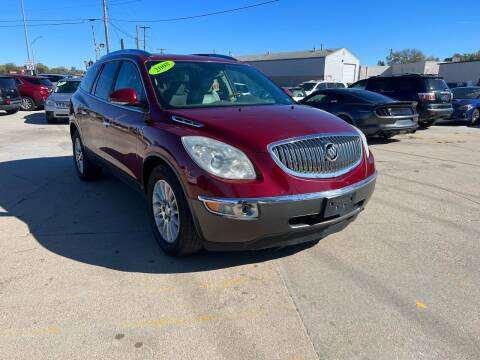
x=34, y=90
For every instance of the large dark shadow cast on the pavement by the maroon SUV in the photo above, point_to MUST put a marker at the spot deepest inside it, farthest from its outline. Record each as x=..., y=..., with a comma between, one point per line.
x=101, y=223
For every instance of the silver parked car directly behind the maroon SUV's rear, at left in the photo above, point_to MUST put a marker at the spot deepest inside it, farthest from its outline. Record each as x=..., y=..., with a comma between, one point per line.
x=57, y=105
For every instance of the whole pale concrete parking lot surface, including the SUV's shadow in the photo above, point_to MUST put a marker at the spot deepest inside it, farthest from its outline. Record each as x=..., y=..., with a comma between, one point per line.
x=82, y=277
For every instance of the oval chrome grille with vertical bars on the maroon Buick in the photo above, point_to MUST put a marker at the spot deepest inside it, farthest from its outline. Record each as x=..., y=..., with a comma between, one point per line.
x=309, y=156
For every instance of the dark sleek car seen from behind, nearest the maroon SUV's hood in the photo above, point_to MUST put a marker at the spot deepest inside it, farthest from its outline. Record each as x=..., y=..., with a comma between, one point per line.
x=374, y=114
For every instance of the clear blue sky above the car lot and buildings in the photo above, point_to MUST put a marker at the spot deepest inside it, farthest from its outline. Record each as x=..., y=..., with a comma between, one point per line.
x=369, y=29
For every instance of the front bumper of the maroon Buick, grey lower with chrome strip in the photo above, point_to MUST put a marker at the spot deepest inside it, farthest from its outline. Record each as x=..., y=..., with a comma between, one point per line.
x=282, y=221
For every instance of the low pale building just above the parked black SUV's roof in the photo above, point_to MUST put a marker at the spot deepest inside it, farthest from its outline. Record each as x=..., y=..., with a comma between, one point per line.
x=420, y=67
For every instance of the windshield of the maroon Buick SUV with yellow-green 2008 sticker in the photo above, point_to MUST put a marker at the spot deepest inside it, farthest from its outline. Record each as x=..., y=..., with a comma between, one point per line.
x=208, y=84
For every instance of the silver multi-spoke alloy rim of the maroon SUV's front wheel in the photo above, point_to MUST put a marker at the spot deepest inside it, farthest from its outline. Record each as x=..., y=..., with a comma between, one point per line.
x=165, y=211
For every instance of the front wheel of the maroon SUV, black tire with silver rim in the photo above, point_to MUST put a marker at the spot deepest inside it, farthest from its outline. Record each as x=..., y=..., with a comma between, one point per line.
x=176, y=237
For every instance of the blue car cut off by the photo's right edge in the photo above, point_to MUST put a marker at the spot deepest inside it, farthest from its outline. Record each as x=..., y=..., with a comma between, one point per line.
x=466, y=104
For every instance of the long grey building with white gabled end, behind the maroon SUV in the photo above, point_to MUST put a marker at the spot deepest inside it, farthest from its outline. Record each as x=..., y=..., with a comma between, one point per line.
x=292, y=68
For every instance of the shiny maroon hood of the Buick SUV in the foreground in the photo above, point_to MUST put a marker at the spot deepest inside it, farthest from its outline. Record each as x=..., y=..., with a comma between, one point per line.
x=253, y=128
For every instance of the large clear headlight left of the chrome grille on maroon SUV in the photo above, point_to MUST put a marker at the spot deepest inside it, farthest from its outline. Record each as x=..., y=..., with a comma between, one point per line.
x=218, y=158
